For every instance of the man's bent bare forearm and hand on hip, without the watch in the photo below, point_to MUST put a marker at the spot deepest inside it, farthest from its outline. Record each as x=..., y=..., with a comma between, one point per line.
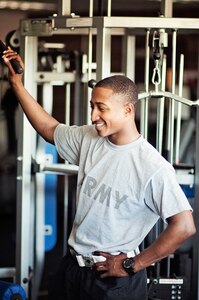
x=180, y=228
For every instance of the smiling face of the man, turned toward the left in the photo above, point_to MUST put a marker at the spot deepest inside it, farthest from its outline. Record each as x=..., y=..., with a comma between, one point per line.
x=108, y=113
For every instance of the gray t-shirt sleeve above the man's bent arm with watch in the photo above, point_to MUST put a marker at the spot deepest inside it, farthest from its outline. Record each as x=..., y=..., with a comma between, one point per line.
x=164, y=196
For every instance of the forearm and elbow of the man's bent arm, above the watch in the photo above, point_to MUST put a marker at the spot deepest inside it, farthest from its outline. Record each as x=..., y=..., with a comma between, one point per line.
x=180, y=228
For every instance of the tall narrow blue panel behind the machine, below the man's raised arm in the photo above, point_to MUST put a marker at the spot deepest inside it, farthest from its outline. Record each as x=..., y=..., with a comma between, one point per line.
x=50, y=202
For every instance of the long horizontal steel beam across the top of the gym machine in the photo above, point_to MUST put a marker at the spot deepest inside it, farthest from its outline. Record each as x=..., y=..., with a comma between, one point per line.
x=58, y=25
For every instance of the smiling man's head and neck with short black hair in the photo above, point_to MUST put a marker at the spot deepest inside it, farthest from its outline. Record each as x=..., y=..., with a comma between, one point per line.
x=115, y=121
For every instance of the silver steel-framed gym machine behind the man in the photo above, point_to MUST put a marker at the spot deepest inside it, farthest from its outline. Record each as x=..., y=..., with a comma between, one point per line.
x=33, y=161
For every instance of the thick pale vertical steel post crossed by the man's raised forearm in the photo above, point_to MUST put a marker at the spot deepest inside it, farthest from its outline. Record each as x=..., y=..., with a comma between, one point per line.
x=25, y=190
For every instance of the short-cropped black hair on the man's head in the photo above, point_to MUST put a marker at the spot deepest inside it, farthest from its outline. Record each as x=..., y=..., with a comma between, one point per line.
x=120, y=84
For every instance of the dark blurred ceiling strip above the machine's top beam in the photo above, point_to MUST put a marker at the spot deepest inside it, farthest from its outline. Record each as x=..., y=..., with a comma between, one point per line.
x=181, y=8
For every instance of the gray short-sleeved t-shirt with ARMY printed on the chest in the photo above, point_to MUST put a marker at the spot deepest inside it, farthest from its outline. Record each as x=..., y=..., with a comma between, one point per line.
x=121, y=190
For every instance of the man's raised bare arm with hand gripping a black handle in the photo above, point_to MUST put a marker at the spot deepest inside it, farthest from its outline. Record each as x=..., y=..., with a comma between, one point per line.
x=42, y=122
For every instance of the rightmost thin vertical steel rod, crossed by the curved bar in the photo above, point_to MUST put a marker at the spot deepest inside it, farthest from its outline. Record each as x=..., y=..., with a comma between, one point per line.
x=179, y=110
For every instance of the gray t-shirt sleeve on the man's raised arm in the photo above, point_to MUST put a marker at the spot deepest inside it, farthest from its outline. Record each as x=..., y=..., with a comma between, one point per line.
x=68, y=141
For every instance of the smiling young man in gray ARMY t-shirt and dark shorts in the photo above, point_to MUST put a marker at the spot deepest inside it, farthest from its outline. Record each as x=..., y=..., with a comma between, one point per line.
x=124, y=186
